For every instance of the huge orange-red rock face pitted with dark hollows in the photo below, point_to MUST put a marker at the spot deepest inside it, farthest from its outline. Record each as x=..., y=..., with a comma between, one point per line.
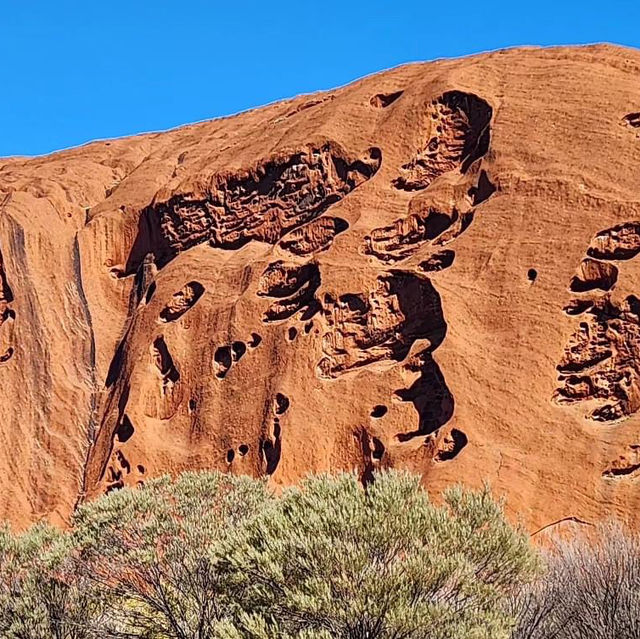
x=434, y=268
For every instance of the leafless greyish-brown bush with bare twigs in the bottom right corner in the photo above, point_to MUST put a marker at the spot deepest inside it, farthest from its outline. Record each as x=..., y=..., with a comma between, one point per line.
x=590, y=590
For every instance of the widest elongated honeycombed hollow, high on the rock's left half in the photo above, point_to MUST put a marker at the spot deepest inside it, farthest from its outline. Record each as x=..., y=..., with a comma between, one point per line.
x=272, y=198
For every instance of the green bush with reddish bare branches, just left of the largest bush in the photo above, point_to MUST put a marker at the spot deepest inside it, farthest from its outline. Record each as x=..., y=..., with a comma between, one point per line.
x=155, y=552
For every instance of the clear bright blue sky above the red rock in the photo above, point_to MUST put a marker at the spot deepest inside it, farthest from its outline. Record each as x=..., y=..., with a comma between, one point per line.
x=75, y=71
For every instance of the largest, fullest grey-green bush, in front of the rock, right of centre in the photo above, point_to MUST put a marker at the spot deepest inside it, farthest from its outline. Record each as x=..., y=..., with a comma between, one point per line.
x=331, y=560
